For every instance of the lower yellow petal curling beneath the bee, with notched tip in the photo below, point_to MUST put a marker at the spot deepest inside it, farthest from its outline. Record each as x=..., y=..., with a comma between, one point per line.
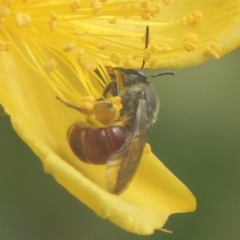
x=42, y=122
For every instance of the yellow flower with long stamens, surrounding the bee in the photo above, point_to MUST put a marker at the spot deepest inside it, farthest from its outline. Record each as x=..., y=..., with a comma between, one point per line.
x=51, y=48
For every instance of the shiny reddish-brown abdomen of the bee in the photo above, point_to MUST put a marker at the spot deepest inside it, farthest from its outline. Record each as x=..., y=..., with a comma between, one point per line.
x=95, y=145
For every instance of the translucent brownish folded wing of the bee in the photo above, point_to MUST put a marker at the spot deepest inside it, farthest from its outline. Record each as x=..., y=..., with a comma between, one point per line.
x=123, y=164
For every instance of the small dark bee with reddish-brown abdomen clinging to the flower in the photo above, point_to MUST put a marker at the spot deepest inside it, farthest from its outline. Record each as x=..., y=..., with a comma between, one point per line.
x=120, y=147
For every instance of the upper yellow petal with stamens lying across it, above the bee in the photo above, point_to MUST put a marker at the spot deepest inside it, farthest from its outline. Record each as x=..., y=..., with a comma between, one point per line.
x=182, y=33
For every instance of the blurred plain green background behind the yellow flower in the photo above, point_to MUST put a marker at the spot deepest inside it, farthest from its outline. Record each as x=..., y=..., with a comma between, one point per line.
x=197, y=137
